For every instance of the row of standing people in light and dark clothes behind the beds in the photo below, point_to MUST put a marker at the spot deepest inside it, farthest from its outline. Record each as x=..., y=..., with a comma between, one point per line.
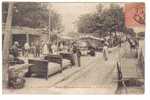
x=41, y=48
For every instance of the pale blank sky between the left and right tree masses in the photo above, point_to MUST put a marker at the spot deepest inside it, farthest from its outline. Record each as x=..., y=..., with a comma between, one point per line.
x=71, y=11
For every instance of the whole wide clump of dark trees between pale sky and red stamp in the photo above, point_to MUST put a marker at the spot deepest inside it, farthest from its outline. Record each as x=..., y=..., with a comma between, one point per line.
x=103, y=22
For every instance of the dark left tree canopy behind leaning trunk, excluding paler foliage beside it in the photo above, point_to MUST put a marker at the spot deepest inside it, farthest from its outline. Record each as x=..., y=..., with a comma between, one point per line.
x=28, y=14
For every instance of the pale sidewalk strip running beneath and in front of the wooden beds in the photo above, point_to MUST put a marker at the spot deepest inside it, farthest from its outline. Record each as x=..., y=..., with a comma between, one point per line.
x=33, y=85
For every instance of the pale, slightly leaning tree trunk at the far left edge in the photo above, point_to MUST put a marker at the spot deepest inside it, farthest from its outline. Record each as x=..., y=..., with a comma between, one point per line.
x=6, y=45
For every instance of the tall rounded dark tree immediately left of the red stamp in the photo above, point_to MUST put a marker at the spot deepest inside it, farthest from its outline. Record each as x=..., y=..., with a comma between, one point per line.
x=114, y=19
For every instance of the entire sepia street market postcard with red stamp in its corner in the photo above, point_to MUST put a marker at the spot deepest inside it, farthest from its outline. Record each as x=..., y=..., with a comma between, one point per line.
x=73, y=48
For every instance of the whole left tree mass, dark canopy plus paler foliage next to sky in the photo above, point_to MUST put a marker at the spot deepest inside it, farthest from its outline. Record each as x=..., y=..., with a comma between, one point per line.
x=34, y=15
